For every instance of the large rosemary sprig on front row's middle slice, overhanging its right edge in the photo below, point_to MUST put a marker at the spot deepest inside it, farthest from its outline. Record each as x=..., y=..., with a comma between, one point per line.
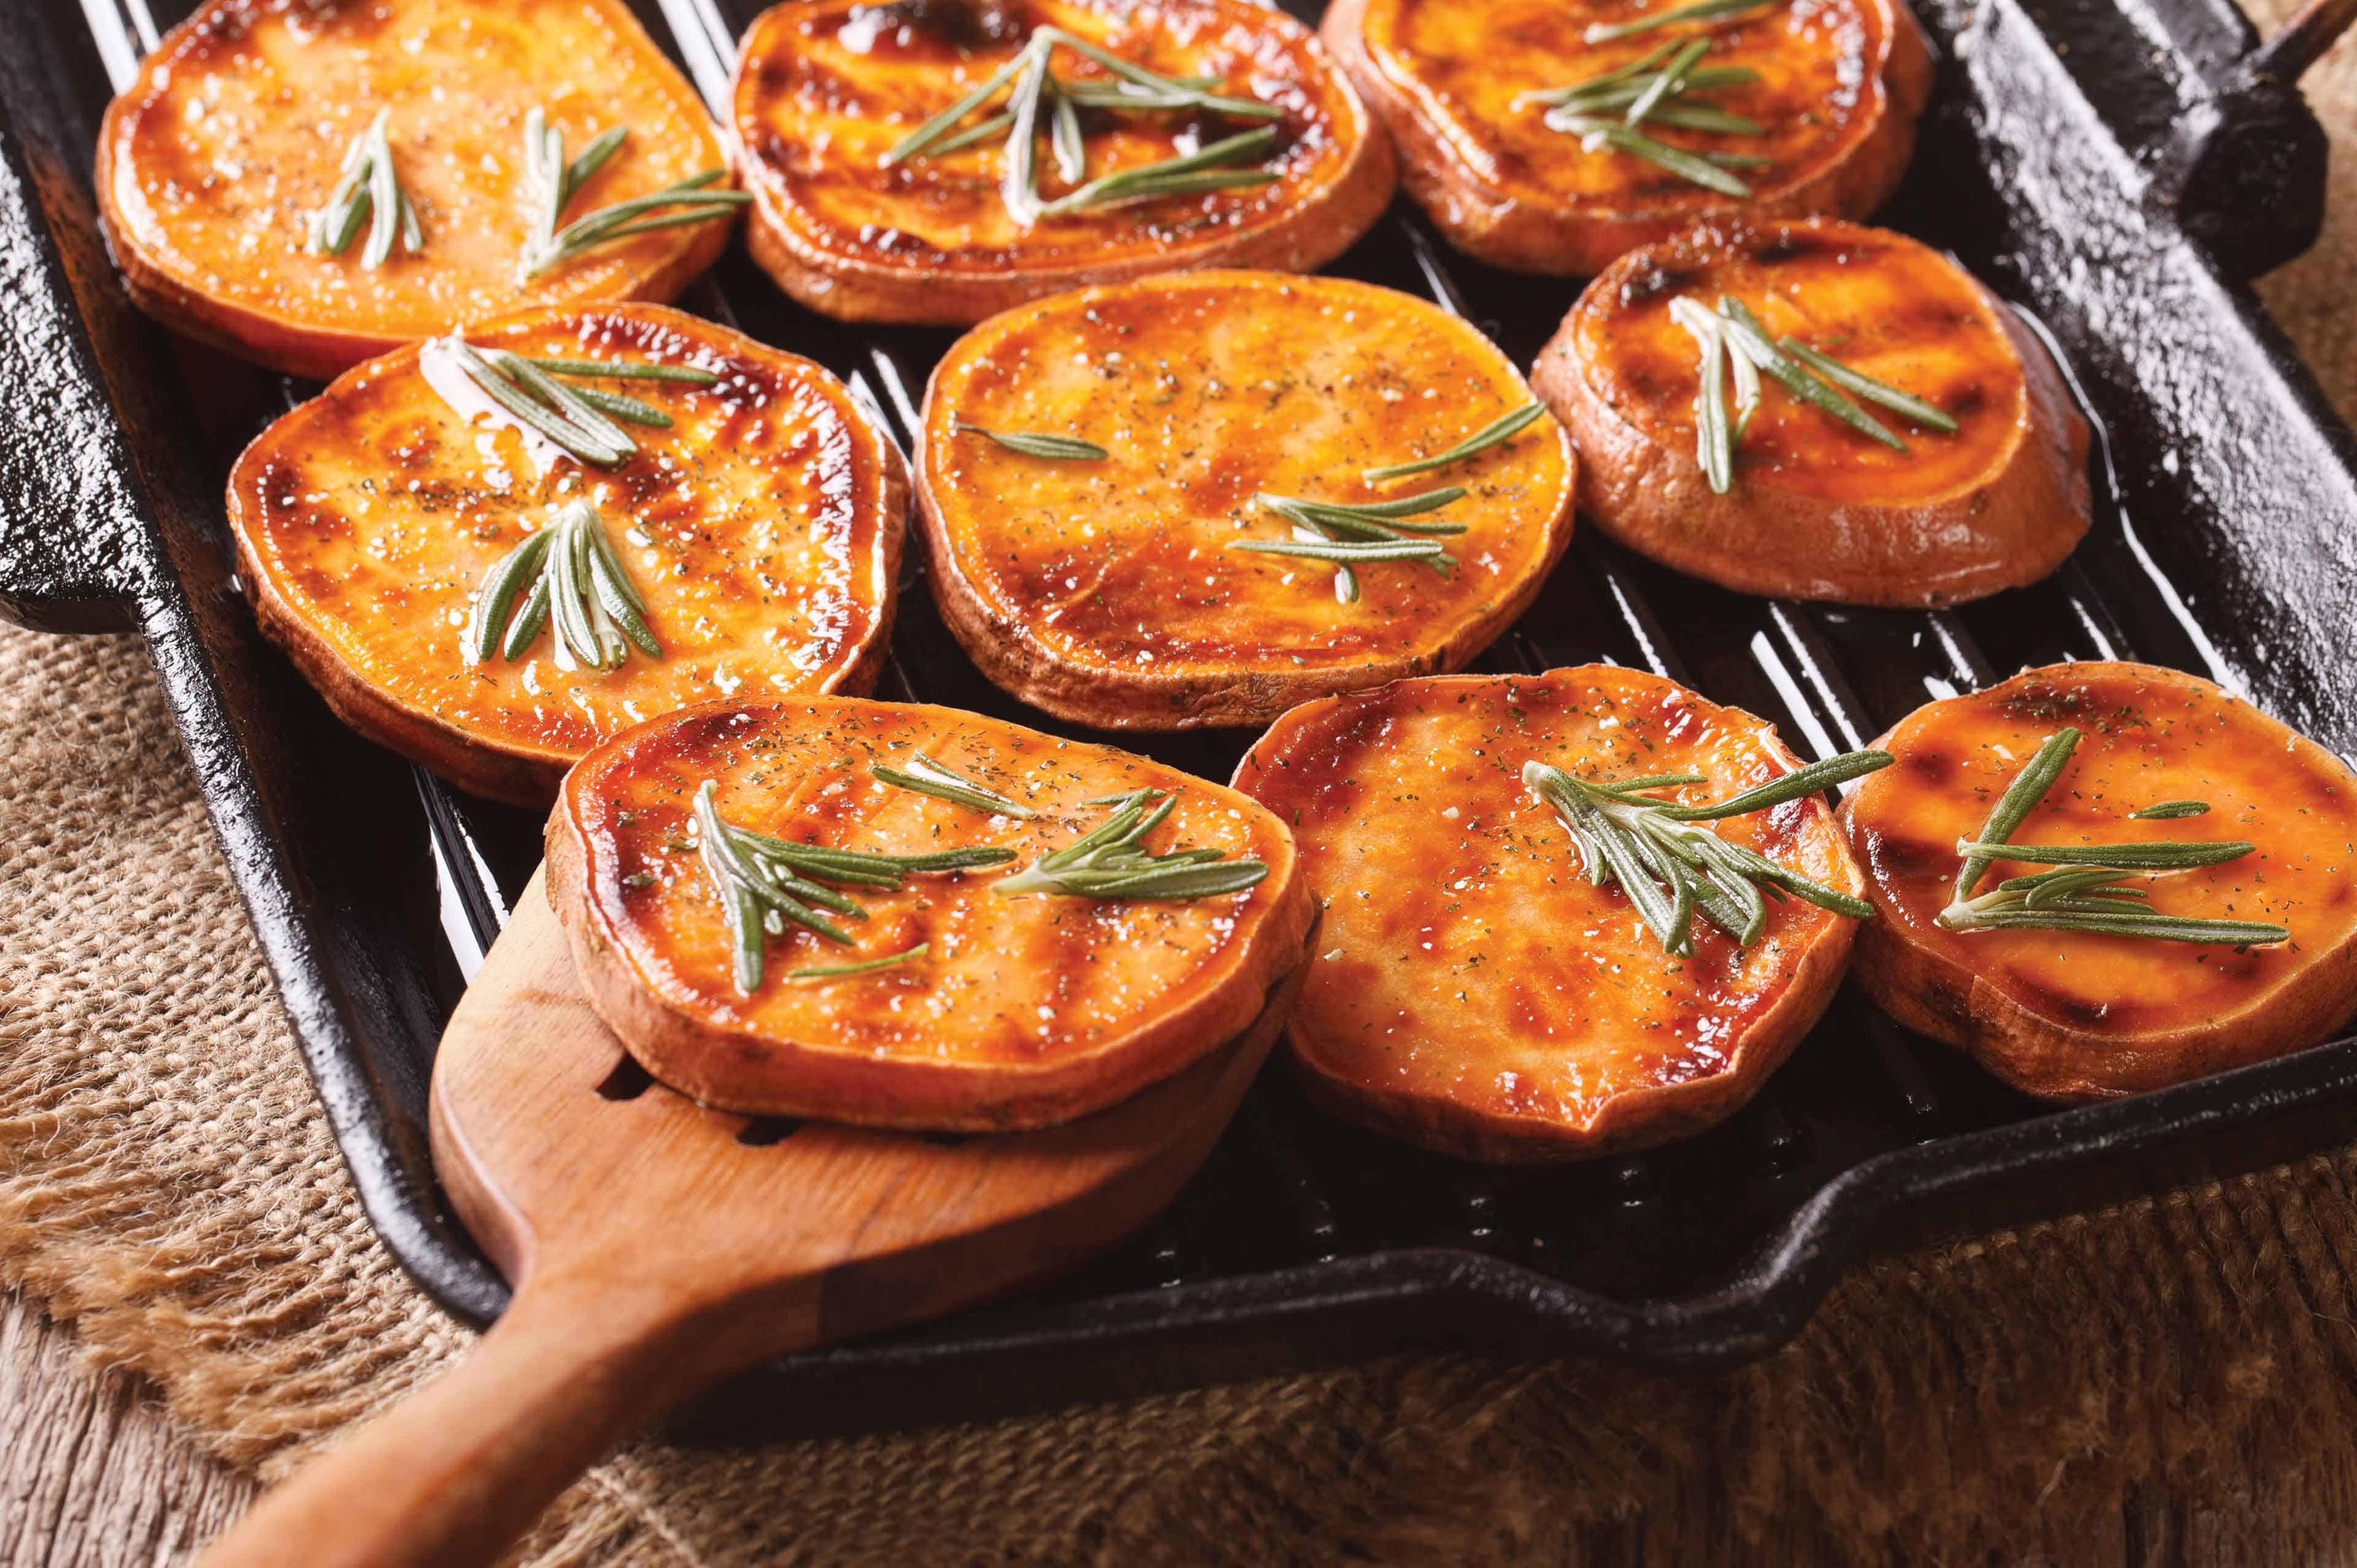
x=1672, y=869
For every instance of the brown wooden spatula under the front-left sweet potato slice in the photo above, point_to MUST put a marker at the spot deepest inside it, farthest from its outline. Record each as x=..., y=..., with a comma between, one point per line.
x=654, y=1253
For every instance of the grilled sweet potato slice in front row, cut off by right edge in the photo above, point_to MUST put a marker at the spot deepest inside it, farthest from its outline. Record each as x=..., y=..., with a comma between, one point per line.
x=2075, y=1015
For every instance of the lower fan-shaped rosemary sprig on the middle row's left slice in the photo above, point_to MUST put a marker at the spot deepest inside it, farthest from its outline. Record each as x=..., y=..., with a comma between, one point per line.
x=569, y=574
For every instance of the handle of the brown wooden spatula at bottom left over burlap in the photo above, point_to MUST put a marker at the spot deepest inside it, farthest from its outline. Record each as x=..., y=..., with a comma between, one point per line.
x=456, y=1473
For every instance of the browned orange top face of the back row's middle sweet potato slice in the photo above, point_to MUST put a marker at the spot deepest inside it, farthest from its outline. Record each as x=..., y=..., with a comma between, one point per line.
x=826, y=91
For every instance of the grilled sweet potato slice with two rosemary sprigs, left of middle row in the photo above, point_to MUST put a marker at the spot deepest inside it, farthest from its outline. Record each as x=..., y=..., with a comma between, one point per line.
x=762, y=529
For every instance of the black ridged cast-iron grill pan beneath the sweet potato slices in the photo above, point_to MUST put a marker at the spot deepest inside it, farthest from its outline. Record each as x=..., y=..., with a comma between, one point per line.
x=2108, y=166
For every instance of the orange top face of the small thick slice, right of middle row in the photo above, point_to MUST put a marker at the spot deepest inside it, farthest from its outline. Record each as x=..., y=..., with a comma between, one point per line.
x=1880, y=303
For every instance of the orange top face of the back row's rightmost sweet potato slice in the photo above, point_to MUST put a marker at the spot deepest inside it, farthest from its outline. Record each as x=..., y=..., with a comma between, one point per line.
x=1467, y=62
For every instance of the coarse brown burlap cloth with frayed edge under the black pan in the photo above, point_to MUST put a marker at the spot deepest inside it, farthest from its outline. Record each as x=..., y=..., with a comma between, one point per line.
x=2174, y=1381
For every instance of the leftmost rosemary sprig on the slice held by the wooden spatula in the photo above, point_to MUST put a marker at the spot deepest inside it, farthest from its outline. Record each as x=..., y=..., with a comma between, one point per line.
x=770, y=883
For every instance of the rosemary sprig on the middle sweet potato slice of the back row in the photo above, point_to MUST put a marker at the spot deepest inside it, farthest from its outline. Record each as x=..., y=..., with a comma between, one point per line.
x=1036, y=95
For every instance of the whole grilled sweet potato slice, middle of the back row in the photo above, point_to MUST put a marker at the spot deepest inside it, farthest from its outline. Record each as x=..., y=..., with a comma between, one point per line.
x=828, y=88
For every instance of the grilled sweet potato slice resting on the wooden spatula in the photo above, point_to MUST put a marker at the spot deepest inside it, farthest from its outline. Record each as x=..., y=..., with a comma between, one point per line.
x=1019, y=1013
